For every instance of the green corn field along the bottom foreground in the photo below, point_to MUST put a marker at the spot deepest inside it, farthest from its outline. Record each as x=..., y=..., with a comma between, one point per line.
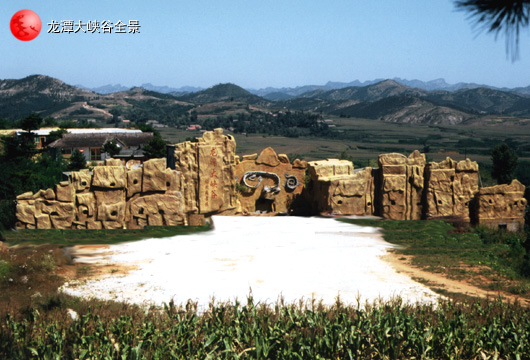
x=474, y=329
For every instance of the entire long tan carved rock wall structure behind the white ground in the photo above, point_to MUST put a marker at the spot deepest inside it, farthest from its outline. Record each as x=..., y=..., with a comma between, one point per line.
x=207, y=178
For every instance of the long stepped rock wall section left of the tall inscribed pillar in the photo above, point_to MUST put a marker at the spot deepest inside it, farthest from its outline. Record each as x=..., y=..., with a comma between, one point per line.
x=103, y=199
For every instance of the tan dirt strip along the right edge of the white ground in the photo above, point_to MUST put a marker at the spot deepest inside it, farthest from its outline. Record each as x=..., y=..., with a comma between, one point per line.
x=439, y=281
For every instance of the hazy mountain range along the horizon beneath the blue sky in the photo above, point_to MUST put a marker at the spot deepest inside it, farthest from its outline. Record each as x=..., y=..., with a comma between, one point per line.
x=397, y=100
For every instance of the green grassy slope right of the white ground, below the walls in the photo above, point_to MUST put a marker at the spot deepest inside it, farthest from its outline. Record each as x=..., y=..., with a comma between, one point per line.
x=498, y=257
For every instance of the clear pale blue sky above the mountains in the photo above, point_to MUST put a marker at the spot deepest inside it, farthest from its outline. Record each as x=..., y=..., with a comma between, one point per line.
x=257, y=44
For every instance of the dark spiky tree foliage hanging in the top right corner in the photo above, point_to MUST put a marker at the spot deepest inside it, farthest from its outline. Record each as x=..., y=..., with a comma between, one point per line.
x=500, y=16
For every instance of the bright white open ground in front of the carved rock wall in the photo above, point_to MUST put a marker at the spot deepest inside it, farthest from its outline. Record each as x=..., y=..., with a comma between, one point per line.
x=272, y=257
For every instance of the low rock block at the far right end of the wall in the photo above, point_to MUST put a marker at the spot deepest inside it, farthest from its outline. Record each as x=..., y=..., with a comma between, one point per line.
x=501, y=206
